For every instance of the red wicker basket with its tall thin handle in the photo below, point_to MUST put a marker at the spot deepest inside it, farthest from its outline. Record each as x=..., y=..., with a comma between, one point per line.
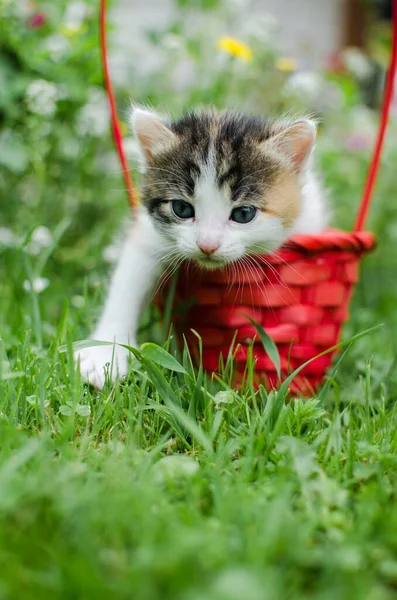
x=300, y=294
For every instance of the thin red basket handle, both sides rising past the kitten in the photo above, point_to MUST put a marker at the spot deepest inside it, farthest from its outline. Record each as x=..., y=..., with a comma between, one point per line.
x=375, y=161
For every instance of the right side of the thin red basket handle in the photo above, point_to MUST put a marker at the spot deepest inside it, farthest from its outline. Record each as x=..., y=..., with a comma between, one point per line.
x=384, y=119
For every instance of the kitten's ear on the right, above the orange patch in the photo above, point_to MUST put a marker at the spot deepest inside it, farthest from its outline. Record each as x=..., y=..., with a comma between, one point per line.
x=295, y=142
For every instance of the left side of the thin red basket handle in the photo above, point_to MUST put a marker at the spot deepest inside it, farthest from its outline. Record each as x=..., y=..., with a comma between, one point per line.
x=118, y=139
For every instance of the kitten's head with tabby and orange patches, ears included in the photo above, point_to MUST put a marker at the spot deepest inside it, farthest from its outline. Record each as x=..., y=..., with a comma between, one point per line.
x=222, y=185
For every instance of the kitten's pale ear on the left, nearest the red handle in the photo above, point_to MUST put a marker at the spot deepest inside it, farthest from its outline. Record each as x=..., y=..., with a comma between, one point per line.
x=153, y=136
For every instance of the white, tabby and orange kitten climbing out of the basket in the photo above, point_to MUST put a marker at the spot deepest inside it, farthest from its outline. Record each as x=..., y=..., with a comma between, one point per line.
x=217, y=186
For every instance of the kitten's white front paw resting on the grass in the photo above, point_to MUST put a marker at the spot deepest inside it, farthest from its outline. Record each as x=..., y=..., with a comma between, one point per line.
x=100, y=362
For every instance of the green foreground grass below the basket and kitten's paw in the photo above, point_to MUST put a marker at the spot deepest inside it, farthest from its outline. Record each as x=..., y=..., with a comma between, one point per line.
x=175, y=491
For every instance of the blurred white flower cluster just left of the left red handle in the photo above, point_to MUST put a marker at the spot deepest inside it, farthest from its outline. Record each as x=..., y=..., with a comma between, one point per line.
x=93, y=118
